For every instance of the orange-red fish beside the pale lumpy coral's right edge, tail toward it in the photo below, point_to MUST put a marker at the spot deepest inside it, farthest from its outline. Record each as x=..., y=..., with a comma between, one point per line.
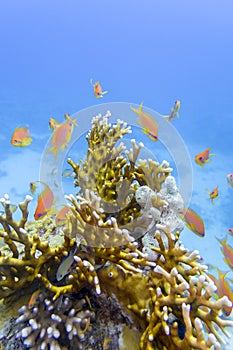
x=193, y=221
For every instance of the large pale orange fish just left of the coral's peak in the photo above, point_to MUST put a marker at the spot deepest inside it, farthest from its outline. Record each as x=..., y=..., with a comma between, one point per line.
x=61, y=136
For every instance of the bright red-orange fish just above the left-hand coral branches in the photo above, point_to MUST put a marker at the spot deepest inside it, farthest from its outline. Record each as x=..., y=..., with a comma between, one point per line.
x=44, y=203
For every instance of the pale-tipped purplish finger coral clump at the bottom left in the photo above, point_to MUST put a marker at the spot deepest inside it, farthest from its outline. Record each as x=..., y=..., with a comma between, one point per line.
x=54, y=324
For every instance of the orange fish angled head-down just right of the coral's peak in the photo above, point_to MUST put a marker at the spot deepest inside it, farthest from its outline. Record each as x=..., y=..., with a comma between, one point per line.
x=148, y=124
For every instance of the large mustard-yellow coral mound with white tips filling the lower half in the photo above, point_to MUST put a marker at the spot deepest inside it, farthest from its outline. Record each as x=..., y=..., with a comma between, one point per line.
x=115, y=275
